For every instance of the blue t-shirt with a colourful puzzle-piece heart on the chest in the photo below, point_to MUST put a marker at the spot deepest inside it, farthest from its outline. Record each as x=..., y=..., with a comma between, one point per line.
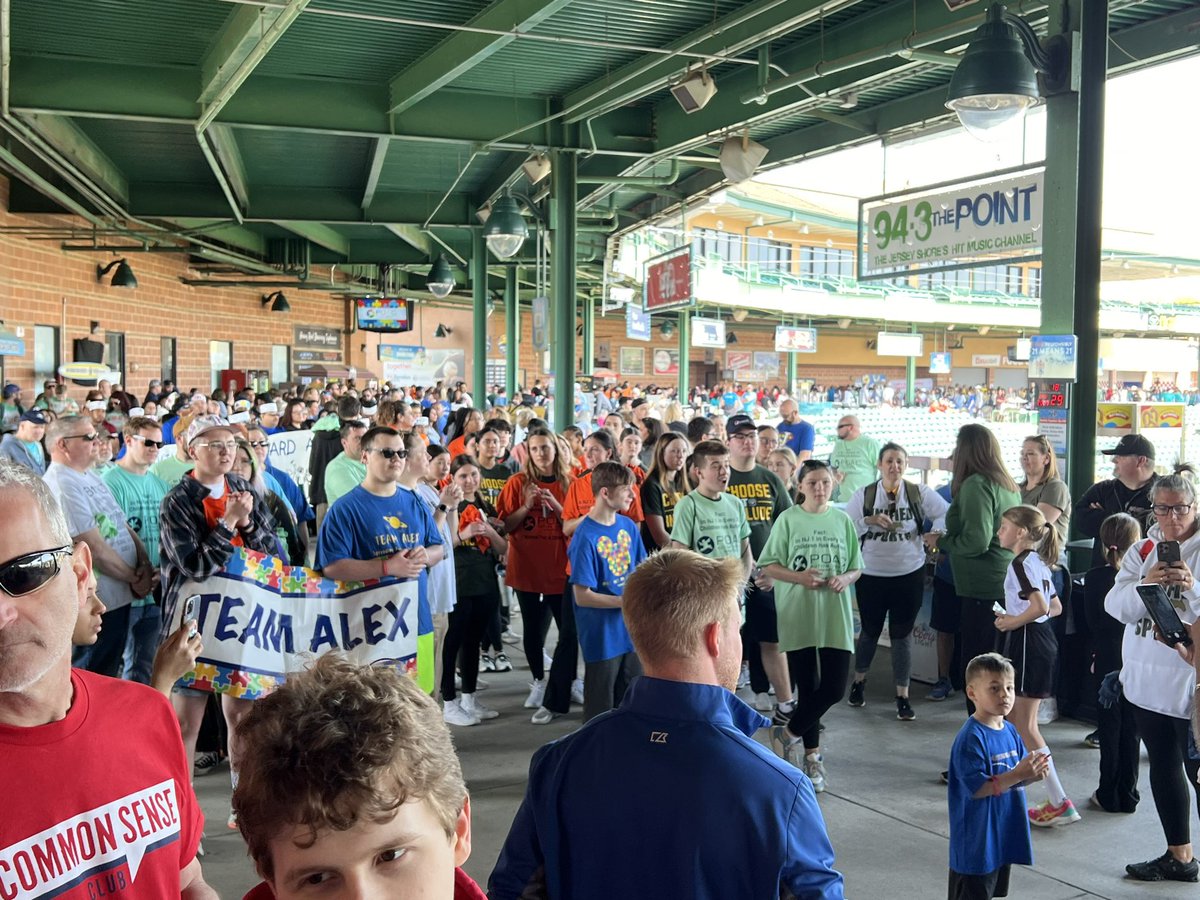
x=602, y=560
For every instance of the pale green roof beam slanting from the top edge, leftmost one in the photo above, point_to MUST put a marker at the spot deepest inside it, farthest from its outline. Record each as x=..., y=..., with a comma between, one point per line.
x=248, y=37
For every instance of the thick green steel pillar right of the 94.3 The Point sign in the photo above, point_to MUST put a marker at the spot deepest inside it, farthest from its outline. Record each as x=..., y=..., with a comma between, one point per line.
x=1071, y=254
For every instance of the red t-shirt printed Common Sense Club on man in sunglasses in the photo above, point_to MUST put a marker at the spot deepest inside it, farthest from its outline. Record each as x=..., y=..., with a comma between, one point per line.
x=101, y=803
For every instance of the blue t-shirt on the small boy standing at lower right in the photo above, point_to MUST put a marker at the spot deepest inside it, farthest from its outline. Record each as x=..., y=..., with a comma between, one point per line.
x=989, y=832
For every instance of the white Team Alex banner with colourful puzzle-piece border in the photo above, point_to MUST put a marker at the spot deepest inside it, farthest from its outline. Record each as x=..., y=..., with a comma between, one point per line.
x=262, y=621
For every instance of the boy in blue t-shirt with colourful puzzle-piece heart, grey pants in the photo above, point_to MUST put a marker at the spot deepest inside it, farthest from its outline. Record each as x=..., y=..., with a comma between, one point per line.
x=605, y=549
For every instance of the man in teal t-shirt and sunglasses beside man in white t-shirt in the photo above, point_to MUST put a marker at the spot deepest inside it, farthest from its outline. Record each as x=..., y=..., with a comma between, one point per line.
x=141, y=495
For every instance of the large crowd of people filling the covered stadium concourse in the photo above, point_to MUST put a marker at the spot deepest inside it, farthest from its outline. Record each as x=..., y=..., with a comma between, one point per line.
x=682, y=556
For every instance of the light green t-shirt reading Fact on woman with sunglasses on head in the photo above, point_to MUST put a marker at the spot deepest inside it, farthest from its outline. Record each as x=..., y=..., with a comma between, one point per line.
x=827, y=542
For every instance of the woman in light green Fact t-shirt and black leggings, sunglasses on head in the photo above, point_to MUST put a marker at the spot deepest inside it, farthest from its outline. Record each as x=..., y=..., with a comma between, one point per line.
x=813, y=554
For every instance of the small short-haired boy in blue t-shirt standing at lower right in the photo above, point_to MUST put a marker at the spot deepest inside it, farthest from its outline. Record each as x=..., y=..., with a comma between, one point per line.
x=989, y=769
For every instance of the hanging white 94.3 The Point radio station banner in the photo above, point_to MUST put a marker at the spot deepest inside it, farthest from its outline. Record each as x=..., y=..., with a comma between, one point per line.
x=985, y=220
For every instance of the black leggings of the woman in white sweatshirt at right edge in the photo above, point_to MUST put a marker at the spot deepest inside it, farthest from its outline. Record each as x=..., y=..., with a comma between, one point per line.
x=1171, y=772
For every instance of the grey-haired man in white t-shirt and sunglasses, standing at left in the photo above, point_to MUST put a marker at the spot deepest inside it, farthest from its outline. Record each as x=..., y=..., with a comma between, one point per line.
x=123, y=568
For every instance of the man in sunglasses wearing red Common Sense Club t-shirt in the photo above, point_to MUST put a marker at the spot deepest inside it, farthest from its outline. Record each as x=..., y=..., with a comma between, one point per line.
x=81, y=753
